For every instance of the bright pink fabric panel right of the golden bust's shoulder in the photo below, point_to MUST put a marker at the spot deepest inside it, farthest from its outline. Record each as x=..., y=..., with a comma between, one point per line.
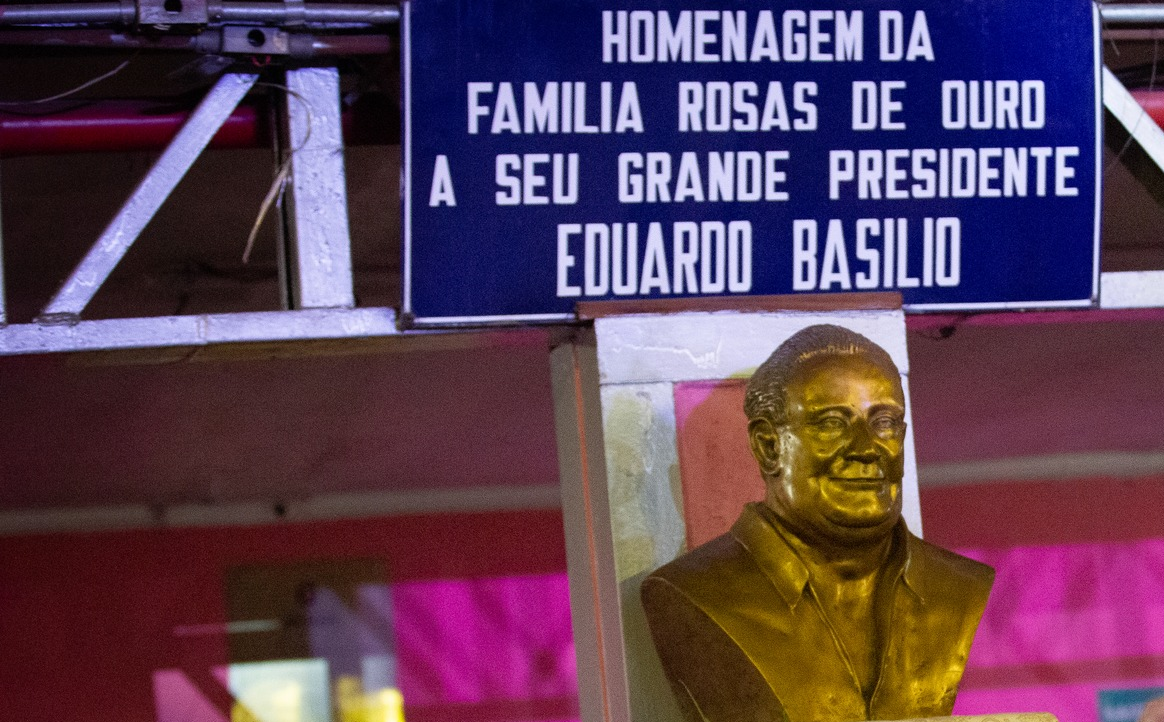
x=1063, y=622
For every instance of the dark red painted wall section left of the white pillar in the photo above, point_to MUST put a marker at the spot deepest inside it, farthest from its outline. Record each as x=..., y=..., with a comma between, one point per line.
x=87, y=619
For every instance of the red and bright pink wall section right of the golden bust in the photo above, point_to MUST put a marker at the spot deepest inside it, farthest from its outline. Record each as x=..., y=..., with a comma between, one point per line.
x=1078, y=603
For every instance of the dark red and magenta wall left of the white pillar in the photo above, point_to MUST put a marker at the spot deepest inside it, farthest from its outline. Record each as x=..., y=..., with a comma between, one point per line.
x=88, y=619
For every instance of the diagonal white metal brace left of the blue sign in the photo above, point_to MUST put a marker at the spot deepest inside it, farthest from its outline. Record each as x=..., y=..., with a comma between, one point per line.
x=147, y=199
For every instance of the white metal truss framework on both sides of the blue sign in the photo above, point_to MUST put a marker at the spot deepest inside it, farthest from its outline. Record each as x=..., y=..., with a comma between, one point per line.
x=317, y=259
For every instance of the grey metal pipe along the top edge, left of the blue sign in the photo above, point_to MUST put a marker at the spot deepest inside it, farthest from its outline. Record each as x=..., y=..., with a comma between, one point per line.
x=124, y=13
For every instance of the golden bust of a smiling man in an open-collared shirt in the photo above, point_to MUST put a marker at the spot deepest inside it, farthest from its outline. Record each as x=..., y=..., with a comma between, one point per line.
x=819, y=606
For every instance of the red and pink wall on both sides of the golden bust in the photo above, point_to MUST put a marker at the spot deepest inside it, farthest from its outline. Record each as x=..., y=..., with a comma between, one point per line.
x=481, y=606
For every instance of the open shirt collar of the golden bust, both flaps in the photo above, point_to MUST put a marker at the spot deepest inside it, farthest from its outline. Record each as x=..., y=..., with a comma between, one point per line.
x=787, y=572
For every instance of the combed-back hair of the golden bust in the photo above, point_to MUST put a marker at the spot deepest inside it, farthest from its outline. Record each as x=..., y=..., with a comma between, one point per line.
x=765, y=395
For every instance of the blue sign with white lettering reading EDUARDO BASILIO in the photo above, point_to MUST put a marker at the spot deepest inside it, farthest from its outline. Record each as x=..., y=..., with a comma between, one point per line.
x=567, y=151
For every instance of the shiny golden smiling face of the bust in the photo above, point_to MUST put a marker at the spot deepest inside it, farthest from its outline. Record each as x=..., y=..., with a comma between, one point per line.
x=841, y=452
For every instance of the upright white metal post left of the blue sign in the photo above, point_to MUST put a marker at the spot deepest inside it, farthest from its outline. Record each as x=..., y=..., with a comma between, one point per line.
x=321, y=250
